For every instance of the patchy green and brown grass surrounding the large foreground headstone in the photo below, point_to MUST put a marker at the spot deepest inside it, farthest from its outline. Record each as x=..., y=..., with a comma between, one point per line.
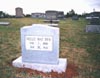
x=79, y=47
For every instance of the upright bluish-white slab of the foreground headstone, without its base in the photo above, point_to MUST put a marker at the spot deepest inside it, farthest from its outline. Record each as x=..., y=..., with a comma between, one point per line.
x=40, y=44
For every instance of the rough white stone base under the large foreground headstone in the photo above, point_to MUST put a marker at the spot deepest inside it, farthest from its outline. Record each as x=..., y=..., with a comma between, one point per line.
x=61, y=67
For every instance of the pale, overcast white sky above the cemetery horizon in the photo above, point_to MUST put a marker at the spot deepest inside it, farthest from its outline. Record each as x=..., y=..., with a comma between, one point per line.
x=31, y=6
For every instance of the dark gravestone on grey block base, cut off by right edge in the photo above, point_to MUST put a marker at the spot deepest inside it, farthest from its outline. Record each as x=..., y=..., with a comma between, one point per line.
x=94, y=25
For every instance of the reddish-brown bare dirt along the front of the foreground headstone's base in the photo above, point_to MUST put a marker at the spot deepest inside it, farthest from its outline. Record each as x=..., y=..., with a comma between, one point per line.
x=71, y=71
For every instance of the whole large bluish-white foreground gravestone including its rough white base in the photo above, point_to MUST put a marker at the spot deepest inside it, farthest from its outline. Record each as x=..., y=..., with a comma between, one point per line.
x=40, y=49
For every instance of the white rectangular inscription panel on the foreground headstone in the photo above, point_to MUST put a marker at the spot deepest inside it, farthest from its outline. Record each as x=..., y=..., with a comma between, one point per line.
x=43, y=43
